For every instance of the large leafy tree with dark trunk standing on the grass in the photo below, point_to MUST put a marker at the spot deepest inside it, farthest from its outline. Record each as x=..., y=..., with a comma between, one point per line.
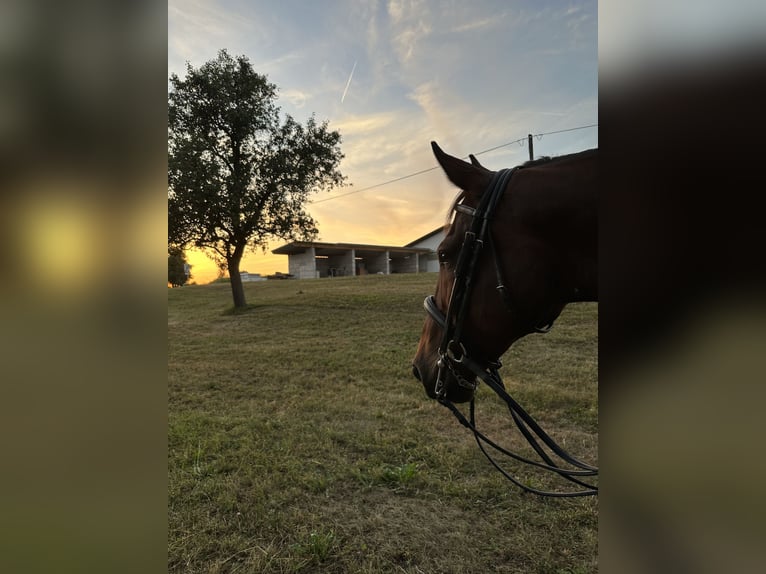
x=238, y=175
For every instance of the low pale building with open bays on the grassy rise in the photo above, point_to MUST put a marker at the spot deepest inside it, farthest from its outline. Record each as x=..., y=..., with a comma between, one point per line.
x=309, y=260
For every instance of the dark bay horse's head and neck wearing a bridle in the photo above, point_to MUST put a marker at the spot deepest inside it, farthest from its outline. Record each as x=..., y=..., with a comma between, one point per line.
x=522, y=244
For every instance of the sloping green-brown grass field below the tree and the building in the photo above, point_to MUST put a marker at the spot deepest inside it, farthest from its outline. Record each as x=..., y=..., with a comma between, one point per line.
x=299, y=441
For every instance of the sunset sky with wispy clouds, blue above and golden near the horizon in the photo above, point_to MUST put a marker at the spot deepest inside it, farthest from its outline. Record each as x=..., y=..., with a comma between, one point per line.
x=391, y=76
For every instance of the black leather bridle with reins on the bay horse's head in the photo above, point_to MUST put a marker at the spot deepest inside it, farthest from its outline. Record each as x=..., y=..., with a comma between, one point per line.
x=454, y=353
